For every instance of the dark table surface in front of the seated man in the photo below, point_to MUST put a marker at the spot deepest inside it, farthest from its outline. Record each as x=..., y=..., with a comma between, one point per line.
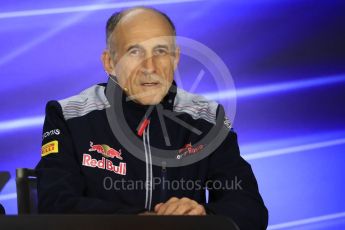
x=105, y=222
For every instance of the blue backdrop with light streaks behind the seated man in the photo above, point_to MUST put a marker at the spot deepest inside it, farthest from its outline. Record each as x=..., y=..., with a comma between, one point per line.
x=287, y=61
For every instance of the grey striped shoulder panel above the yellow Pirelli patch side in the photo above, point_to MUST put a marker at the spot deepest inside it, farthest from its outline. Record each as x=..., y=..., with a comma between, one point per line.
x=89, y=100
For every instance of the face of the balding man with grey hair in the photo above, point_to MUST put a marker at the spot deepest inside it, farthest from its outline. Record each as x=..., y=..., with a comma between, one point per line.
x=145, y=56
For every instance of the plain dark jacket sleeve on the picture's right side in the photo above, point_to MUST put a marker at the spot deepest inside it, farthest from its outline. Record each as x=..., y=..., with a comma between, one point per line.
x=238, y=197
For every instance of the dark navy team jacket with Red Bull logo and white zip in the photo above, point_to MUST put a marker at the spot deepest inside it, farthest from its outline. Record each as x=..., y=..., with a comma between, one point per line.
x=85, y=168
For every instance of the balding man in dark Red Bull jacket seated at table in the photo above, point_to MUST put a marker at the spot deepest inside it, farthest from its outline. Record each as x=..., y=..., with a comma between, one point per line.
x=83, y=160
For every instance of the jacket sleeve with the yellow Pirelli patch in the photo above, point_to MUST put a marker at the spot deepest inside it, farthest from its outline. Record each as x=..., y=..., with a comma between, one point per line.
x=60, y=183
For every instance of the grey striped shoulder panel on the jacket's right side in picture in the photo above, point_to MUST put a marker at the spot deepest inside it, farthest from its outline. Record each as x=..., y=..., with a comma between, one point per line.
x=197, y=106
